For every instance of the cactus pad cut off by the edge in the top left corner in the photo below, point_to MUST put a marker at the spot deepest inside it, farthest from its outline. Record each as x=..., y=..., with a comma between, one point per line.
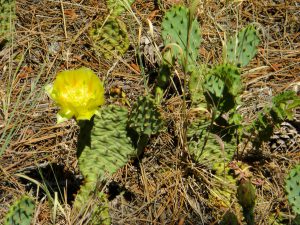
x=7, y=16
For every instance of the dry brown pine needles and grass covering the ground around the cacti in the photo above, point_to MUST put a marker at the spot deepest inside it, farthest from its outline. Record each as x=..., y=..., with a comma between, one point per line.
x=165, y=186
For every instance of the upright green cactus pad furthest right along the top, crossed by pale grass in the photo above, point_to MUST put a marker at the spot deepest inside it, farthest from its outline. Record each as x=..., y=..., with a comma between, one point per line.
x=243, y=47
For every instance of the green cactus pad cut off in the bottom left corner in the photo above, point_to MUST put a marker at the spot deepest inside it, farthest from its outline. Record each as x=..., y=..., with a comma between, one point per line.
x=21, y=212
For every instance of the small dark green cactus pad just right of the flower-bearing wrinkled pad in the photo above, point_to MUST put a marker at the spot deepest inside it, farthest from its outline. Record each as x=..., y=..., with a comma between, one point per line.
x=145, y=117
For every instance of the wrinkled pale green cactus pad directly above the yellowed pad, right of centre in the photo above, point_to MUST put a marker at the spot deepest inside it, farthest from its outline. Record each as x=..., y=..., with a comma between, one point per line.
x=212, y=155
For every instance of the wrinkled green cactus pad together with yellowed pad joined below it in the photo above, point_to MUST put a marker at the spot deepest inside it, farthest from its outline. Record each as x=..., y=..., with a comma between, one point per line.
x=209, y=150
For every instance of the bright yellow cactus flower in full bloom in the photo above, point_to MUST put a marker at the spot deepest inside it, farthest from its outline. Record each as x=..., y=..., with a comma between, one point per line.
x=78, y=93
